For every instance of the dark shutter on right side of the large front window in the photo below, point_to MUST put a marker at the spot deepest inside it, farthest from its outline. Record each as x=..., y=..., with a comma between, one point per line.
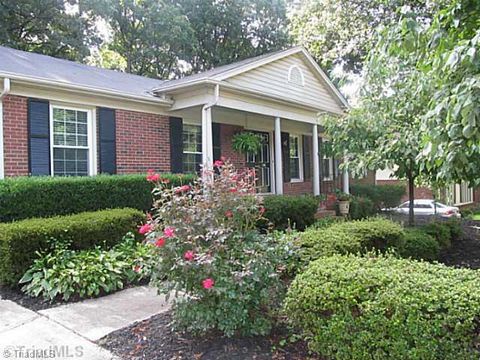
x=107, y=144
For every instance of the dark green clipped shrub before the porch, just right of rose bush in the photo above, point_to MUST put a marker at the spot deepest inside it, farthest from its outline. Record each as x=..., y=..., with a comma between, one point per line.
x=285, y=211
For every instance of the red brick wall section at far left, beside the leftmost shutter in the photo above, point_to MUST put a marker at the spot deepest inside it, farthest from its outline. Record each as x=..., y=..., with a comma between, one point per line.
x=15, y=135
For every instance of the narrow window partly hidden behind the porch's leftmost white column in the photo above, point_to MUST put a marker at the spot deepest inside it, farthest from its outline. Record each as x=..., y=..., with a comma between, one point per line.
x=192, y=148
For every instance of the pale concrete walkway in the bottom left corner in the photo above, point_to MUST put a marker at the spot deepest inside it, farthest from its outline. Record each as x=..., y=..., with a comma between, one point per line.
x=68, y=331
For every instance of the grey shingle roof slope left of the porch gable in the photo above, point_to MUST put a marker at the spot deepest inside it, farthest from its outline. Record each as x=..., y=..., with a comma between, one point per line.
x=30, y=64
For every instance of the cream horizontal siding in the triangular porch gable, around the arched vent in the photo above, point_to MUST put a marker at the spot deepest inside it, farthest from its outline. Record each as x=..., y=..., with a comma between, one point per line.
x=272, y=79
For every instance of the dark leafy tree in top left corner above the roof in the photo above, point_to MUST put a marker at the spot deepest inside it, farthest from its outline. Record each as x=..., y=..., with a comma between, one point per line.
x=46, y=27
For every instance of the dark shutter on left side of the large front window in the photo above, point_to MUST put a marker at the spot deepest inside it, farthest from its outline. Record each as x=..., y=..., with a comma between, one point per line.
x=39, y=137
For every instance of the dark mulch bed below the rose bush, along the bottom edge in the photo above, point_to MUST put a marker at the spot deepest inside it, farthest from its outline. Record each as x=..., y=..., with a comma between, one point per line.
x=154, y=339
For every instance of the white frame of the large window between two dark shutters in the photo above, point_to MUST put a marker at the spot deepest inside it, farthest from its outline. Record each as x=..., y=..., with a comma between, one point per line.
x=91, y=136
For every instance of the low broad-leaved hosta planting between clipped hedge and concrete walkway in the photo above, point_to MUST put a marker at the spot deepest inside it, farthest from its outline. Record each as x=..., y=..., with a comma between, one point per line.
x=87, y=273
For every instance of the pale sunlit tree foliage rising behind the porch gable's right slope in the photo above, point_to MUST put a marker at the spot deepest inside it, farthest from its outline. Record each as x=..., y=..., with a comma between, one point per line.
x=342, y=32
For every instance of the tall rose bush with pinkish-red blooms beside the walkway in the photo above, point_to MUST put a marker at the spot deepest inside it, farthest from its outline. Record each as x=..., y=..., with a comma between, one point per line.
x=210, y=254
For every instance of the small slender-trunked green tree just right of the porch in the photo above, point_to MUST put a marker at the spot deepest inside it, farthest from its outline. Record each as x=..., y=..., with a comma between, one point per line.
x=385, y=131
